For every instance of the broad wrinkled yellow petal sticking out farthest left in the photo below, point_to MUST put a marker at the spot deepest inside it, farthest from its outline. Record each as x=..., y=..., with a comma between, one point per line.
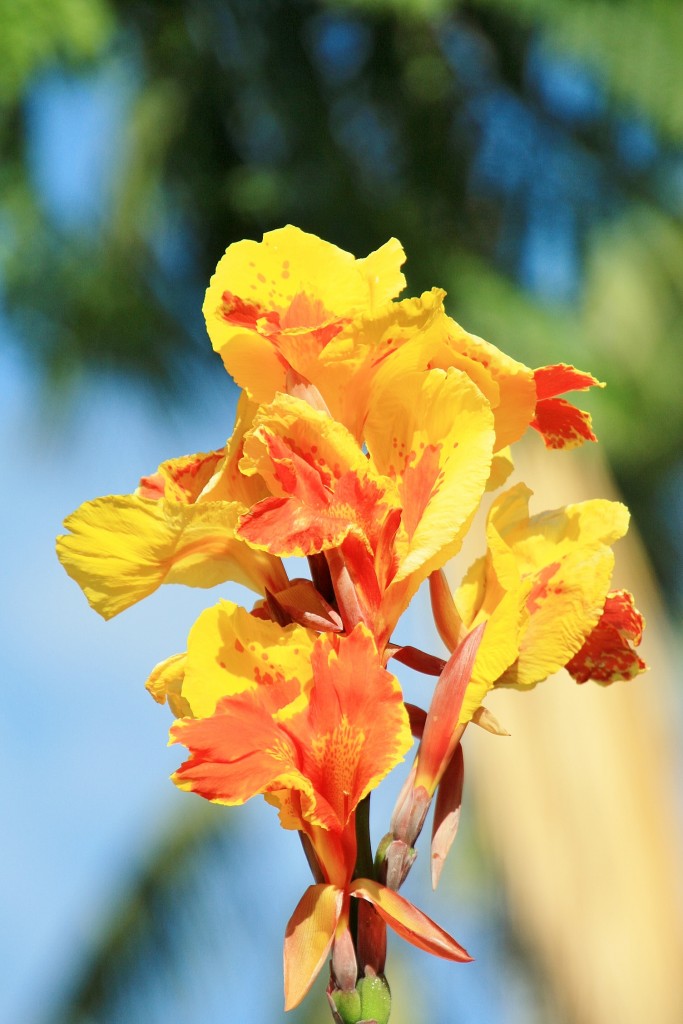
x=123, y=547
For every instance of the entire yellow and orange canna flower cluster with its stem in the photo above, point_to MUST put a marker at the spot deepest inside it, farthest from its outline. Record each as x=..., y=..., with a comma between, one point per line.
x=368, y=433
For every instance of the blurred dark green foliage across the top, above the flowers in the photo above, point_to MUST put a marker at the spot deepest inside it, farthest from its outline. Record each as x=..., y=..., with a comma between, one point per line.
x=528, y=155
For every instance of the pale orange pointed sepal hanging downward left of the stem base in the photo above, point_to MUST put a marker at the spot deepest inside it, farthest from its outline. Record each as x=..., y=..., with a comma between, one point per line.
x=309, y=940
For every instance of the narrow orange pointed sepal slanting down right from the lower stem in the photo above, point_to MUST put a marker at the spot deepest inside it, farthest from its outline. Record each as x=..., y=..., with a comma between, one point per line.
x=407, y=921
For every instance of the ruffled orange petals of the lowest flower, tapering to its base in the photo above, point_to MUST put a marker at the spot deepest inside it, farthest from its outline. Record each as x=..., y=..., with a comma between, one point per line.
x=316, y=763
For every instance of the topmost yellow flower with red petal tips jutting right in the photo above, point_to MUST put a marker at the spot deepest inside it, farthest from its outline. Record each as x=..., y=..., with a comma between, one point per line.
x=293, y=303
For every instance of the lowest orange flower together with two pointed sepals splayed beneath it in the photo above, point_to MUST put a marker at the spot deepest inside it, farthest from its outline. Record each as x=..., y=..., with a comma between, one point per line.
x=315, y=760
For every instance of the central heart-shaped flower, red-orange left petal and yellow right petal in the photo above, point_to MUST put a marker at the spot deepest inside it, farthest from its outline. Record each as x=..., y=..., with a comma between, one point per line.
x=397, y=515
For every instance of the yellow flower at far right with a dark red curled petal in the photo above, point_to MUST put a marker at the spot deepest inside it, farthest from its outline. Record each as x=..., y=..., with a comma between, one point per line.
x=543, y=590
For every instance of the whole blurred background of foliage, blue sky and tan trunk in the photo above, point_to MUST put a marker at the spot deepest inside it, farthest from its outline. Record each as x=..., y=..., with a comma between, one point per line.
x=529, y=154
